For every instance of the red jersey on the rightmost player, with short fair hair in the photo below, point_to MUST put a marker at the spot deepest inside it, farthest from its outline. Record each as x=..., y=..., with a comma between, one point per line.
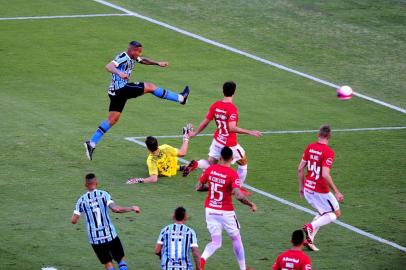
x=317, y=156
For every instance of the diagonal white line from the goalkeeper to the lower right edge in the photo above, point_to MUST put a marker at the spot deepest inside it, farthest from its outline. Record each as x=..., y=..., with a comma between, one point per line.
x=301, y=208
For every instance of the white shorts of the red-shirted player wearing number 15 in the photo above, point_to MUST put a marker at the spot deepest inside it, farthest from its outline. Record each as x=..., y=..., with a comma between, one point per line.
x=218, y=219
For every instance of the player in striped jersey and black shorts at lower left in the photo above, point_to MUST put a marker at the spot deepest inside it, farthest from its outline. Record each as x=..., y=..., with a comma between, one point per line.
x=95, y=204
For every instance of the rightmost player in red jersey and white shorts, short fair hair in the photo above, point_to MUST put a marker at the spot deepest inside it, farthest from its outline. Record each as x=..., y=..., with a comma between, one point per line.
x=319, y=157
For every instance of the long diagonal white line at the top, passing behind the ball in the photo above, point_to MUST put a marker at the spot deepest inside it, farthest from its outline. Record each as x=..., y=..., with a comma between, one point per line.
x=252, y=56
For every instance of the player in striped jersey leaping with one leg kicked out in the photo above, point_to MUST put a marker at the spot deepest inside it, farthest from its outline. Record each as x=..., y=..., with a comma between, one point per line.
x=120, y=90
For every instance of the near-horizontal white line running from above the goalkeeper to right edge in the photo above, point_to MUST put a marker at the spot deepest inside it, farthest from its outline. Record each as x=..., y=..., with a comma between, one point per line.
x=290, y=132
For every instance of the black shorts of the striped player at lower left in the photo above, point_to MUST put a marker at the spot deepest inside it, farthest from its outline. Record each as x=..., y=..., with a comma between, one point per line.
x=108, y=251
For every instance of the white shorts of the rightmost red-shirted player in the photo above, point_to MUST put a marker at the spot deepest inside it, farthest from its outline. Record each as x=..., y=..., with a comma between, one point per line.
x=322, y=202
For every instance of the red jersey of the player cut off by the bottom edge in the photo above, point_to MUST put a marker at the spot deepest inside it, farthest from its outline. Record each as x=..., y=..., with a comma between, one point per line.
x=292, y=259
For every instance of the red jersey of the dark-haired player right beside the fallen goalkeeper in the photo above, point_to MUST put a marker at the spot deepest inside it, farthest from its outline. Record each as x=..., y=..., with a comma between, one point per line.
x=223, y=113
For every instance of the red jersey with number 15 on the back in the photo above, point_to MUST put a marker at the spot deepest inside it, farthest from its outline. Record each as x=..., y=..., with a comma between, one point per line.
x=222, y=180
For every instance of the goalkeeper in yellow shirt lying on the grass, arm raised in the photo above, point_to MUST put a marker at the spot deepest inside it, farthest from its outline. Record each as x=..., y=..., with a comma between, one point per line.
x=163, y=159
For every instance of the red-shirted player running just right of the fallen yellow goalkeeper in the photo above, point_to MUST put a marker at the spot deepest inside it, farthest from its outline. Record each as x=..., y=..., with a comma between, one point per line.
x=225, y=115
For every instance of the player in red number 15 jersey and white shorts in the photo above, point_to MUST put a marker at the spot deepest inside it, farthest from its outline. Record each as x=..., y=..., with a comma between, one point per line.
x=223, y=184
